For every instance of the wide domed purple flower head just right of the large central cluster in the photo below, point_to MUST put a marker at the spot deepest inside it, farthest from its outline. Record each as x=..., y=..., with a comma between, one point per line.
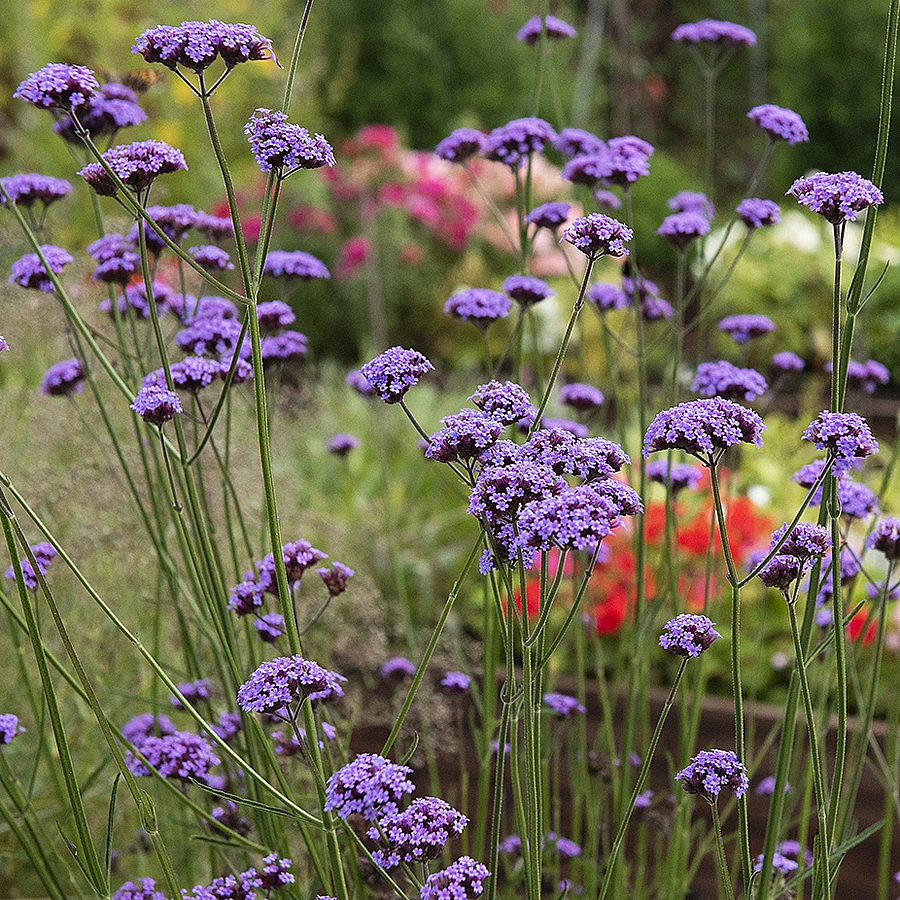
x=703, y=427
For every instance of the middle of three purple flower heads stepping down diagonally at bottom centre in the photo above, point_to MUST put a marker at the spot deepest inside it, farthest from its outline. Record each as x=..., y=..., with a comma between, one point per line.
x=417, y=834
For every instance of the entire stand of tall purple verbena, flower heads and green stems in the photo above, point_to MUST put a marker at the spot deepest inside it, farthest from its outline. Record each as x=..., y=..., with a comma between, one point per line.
x=292, y=809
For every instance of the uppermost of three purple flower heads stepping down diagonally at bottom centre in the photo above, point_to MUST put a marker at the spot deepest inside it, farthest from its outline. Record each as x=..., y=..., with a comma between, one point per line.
x=370, y=785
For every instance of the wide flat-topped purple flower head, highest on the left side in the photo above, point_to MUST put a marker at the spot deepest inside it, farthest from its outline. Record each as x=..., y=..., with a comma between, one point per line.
x=196, y=45
